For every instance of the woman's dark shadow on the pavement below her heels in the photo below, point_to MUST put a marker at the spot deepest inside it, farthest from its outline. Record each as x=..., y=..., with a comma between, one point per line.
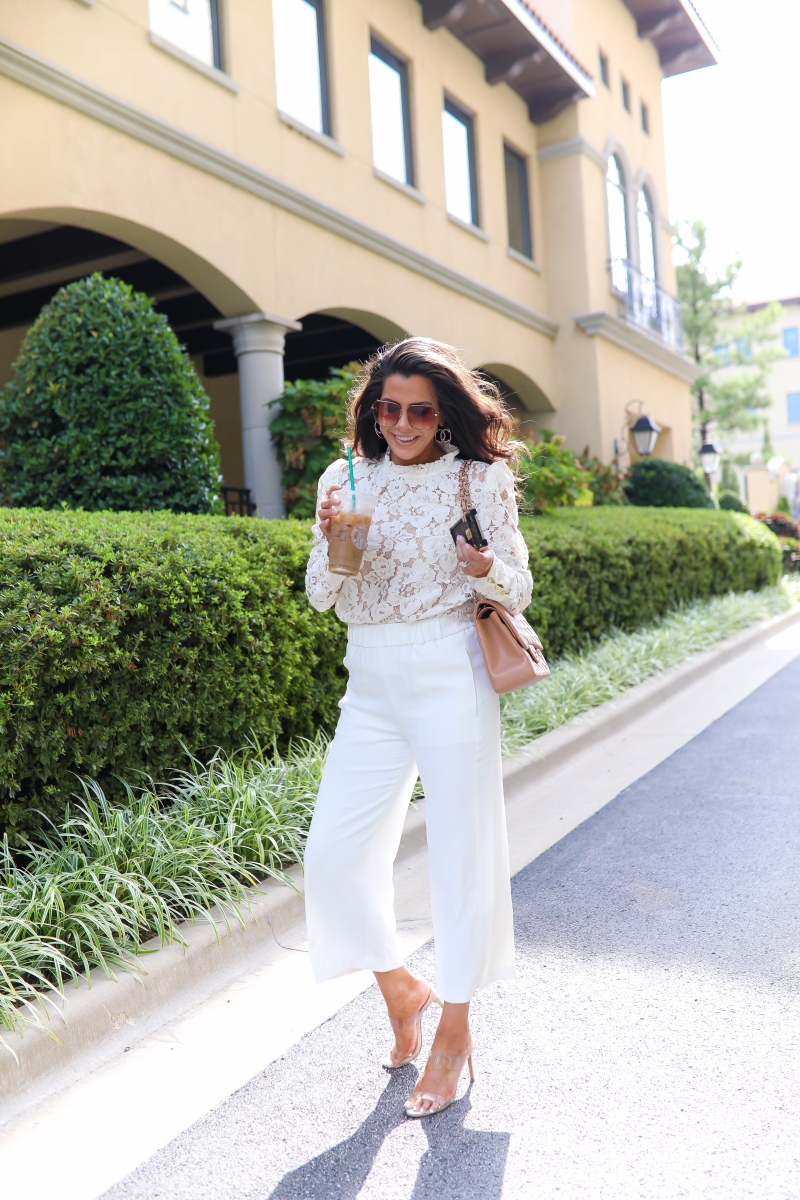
x=459, y=1165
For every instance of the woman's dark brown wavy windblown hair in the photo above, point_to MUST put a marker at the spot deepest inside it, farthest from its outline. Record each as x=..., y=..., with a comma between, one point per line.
x=471, y=404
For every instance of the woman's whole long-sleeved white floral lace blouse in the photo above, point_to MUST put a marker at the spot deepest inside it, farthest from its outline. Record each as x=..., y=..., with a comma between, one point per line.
x=410, y=569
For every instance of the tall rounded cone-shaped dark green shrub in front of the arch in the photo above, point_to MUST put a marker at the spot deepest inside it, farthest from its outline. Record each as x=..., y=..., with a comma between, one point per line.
x=106, y=411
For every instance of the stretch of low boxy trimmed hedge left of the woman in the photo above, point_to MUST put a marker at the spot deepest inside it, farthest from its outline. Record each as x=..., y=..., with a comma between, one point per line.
x=125, y=635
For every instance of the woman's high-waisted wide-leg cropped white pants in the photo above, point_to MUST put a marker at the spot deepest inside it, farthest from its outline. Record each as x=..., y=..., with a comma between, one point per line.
x=418, y=699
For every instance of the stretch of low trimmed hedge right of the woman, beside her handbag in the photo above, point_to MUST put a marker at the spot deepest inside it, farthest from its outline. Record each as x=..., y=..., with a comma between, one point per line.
x=619, y=568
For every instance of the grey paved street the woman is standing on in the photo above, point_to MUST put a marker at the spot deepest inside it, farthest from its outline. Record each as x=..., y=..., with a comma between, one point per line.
x=648, y=1049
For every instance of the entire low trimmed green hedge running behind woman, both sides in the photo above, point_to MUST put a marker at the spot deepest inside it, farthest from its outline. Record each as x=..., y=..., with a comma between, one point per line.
x=125, y=637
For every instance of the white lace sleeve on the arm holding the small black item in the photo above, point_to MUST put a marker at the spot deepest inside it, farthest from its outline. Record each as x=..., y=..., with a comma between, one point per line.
x=509, y=581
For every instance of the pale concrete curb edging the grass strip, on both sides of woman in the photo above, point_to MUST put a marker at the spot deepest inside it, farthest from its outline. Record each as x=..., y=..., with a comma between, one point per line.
x=94, y=1024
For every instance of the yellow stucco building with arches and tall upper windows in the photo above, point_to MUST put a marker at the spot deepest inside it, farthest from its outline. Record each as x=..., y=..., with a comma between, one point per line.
x=296, y=182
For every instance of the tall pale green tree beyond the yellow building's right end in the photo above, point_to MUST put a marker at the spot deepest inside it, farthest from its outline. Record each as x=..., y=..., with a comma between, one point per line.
x=723, y=337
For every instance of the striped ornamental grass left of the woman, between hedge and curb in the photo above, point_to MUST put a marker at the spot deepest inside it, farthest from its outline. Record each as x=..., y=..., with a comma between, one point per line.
x=110, y=878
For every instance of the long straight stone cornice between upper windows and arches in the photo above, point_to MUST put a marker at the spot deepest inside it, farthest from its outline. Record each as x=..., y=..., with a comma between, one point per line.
x=56, y=82
